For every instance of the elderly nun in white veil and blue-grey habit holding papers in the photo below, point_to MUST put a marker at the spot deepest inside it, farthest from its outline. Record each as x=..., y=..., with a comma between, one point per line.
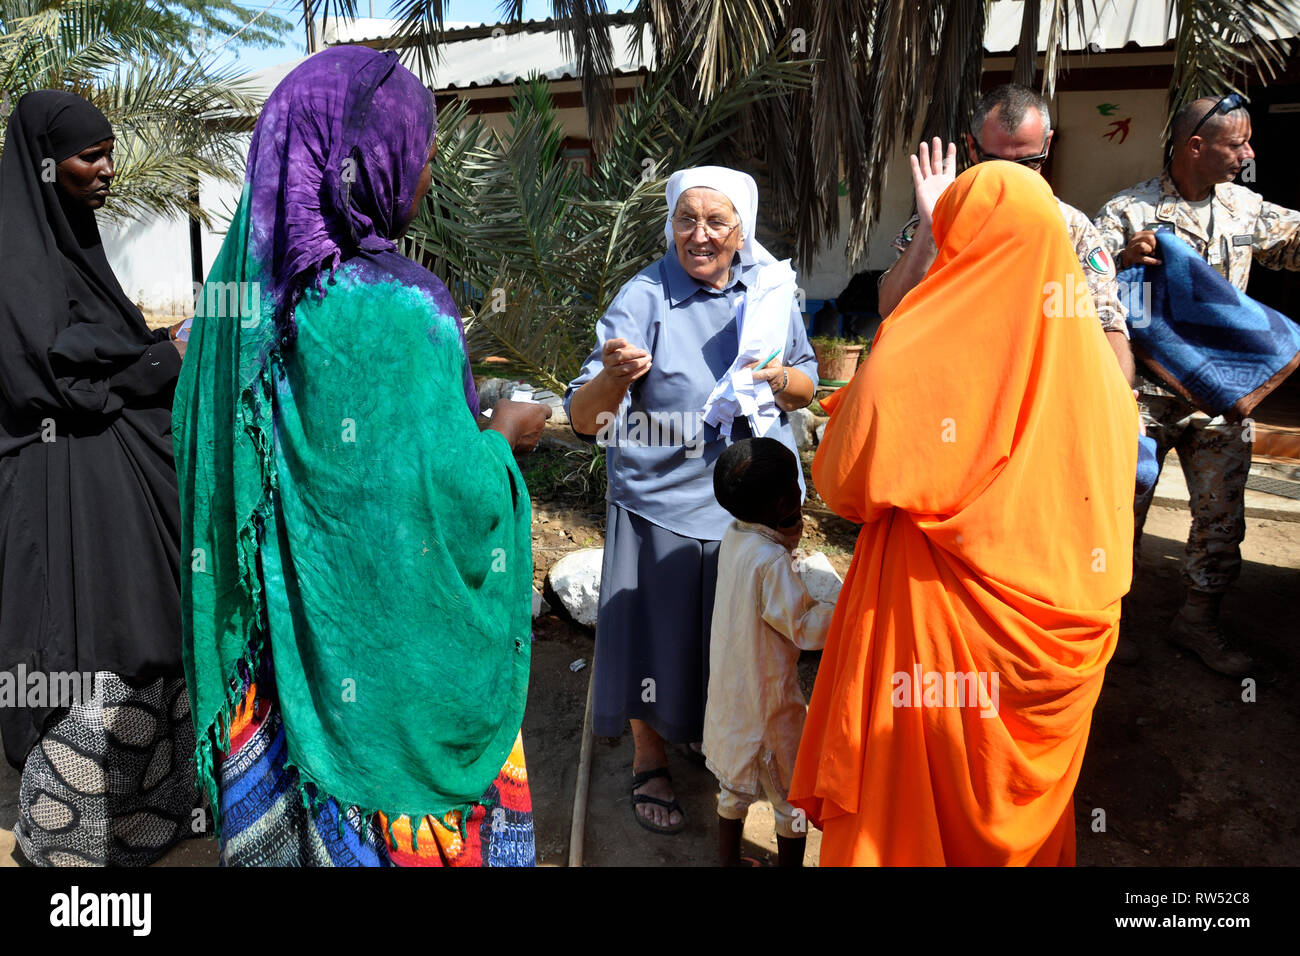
x=703, y=348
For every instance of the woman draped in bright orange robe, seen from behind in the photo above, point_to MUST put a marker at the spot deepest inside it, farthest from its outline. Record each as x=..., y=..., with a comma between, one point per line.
x=989, y=449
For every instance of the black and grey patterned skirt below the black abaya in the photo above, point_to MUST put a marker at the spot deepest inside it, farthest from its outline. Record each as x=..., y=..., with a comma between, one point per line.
x=112, y=781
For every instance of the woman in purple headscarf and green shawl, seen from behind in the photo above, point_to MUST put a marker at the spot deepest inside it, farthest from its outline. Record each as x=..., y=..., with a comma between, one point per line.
x=357, y=598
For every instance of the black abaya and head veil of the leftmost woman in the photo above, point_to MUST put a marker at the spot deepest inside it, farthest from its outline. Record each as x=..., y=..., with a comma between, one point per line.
x=89, y=511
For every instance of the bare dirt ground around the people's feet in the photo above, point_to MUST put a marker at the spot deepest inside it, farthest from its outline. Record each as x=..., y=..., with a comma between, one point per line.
x=1184, y=769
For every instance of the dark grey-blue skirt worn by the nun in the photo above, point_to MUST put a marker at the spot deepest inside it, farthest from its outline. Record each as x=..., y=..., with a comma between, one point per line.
x=652, y=634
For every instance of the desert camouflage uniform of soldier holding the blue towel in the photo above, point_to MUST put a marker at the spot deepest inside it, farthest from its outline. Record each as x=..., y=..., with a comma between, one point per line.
x=1215, y=455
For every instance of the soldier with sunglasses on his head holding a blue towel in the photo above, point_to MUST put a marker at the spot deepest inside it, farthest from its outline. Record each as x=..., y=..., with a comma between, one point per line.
x=1229, y=226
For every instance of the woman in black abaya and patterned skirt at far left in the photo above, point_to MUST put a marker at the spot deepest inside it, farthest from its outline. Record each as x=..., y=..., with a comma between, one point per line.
x=89, y=517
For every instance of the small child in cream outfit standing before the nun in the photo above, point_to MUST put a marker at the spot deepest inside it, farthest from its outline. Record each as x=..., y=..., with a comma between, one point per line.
x=762, y=618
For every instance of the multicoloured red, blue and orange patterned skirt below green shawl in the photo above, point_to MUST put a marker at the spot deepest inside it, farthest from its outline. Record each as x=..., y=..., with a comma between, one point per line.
x=270, y=819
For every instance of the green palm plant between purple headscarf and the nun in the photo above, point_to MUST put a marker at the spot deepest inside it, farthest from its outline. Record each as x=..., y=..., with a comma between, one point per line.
x=534, y=249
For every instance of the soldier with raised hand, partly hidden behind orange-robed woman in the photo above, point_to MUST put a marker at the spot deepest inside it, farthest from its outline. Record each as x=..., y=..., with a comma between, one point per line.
x=1011, y=123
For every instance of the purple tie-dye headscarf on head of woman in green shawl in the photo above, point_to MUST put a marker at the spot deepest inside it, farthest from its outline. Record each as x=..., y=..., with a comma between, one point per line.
x=335, y=165
